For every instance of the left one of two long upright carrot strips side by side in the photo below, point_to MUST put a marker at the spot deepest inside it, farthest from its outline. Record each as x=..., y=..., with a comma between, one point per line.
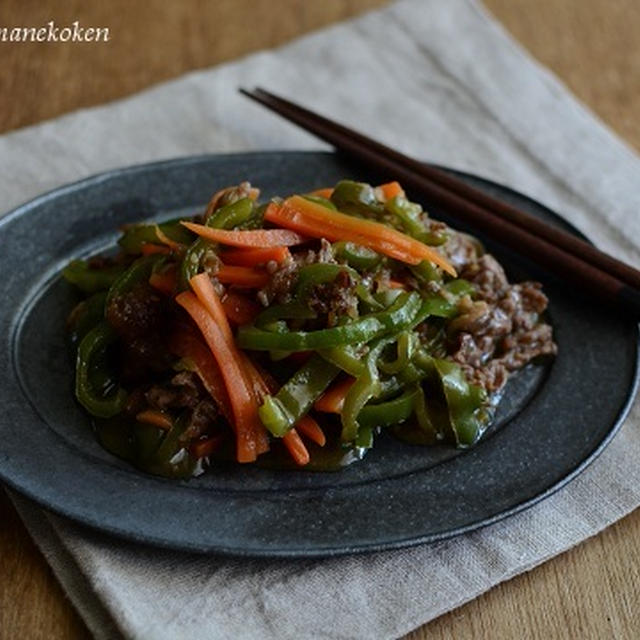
x=243, y=403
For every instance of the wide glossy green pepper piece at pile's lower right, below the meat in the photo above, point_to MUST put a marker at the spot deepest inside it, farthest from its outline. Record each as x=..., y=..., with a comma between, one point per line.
x=467, y=415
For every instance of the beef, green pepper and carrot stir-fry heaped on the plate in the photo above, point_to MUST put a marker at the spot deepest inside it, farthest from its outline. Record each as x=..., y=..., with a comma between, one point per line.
x=294, y=332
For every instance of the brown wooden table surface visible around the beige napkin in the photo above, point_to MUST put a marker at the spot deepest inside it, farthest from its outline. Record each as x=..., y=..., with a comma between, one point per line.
x=591, y=591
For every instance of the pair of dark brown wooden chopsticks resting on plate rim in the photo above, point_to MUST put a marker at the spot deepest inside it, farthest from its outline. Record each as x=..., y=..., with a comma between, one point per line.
x=569, y=258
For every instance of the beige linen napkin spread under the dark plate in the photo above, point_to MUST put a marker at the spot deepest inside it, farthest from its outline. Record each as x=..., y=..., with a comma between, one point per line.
x=438, y=80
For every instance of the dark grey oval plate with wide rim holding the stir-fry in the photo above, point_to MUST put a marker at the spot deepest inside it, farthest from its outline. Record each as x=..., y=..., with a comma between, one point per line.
x=552, y=422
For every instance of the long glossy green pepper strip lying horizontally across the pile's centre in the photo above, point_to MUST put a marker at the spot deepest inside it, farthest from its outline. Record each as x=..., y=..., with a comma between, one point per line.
x=366, y=328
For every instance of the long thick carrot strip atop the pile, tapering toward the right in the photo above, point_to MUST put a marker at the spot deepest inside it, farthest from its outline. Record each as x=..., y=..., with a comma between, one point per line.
x=313, y=219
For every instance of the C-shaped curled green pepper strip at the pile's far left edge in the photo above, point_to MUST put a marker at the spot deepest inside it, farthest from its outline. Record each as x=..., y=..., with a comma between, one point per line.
x=92, y=377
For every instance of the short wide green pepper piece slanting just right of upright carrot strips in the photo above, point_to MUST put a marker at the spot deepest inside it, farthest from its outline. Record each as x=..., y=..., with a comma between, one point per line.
x=280, y=413
